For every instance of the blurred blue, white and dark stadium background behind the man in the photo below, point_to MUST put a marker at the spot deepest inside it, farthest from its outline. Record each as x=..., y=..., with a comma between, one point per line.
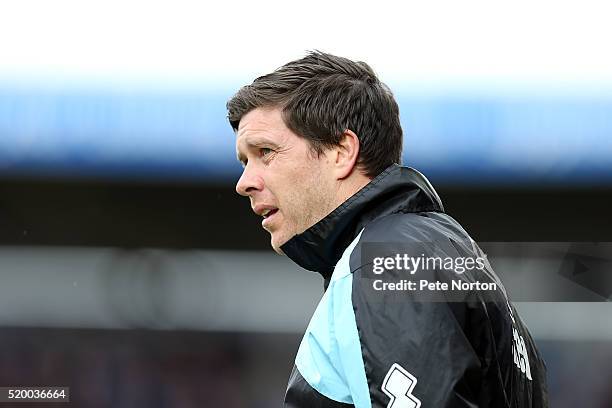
x=132, y=272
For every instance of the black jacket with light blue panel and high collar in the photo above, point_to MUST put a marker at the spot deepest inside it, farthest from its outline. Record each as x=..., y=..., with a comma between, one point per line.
x=368, y=347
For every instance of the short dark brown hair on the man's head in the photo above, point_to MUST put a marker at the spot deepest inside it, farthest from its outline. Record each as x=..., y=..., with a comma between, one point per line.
x=321, y=96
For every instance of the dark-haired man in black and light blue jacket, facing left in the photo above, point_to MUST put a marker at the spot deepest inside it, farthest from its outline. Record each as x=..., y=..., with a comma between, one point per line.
x=320, y=141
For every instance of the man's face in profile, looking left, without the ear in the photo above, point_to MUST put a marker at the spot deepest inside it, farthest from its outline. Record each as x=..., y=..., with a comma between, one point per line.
x=288, y=185
